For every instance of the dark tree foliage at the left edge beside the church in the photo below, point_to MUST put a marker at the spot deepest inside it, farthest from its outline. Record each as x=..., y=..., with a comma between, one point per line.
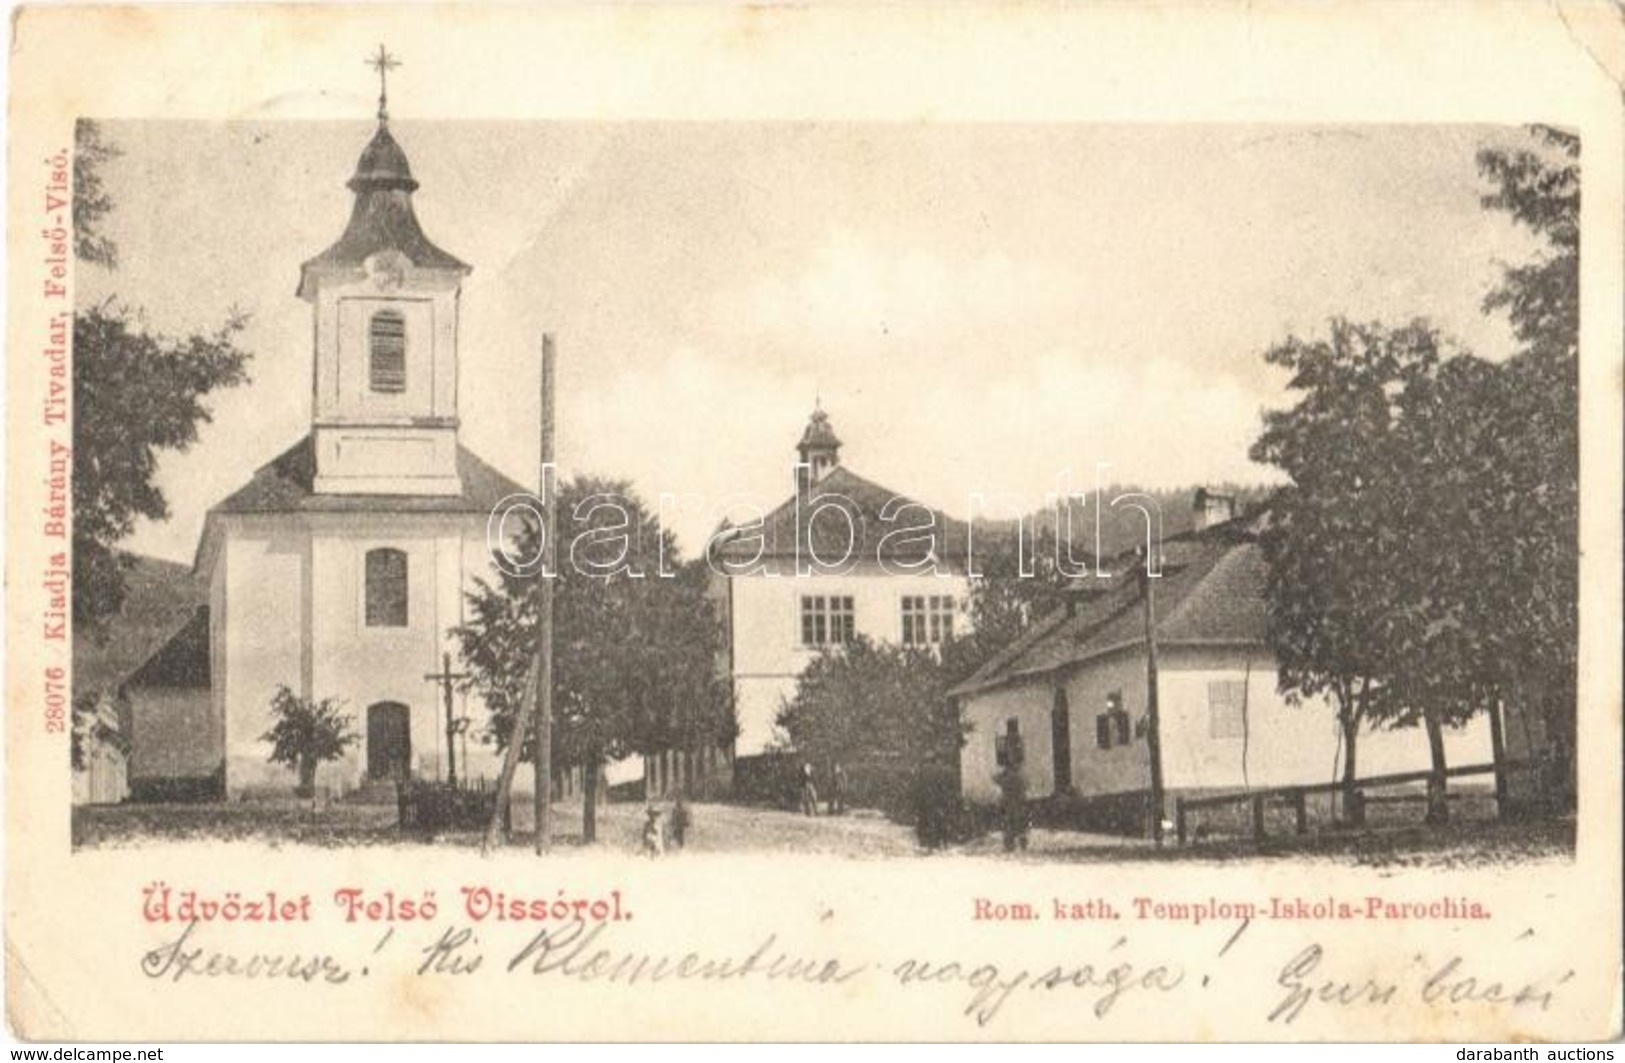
x=136, y=396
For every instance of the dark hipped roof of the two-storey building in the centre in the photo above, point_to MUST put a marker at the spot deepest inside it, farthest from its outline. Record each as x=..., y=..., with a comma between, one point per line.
x=865, y=503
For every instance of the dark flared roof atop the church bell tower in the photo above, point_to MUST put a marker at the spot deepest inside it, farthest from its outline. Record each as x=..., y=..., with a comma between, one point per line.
x=383, y=217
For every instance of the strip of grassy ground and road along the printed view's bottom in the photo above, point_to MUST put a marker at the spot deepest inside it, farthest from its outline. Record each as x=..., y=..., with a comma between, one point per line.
x=724, y=828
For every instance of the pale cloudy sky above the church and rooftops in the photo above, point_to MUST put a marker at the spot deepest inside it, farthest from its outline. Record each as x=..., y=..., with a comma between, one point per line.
x=981, y=308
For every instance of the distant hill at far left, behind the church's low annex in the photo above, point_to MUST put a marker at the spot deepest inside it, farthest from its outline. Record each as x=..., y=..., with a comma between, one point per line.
x=162, y=596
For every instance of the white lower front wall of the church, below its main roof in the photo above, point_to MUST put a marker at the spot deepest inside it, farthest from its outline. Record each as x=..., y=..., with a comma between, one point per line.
x=271, y=584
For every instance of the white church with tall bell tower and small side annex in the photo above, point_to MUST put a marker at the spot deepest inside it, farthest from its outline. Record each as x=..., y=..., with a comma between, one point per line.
x=340, y=568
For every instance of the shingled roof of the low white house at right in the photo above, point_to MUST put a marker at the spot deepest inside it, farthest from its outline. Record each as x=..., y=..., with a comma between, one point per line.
x=1211, y=594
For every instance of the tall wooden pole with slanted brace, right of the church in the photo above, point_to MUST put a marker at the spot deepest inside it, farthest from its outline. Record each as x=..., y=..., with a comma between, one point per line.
x=539, y=682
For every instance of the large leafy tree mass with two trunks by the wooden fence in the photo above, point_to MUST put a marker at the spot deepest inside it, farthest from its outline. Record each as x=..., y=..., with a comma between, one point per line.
x=1390, y=584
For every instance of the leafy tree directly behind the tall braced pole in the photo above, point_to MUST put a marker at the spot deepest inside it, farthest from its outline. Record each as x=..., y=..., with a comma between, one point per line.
x=636, y=651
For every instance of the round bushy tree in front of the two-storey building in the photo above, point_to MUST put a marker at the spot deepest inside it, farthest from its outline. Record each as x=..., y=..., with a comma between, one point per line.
x=878, y=706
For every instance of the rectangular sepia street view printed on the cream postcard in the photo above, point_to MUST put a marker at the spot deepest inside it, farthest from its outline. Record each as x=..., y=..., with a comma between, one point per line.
x=1345, y=631
